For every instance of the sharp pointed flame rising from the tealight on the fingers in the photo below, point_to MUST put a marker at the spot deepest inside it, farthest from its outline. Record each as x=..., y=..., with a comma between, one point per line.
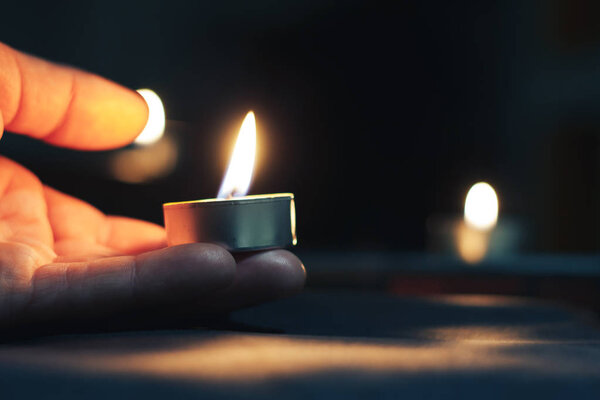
x=239, y=172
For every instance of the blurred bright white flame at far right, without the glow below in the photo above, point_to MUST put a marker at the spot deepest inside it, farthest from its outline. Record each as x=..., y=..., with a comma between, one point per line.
x=481, y=207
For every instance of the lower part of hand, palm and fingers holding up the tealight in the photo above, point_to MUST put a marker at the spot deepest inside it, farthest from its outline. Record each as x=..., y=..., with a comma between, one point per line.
x=58, y=252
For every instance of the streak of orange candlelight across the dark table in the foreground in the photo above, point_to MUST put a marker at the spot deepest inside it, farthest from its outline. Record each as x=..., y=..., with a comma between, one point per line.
x=234, y=358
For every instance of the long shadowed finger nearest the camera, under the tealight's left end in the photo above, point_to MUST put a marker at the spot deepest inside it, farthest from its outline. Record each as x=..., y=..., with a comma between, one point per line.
x=175, y=275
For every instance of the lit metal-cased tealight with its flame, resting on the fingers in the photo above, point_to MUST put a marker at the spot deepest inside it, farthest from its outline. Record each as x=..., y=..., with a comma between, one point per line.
x=234, y=220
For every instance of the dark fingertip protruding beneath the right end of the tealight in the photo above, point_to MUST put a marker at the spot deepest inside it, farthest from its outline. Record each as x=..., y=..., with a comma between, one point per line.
x=260, y=277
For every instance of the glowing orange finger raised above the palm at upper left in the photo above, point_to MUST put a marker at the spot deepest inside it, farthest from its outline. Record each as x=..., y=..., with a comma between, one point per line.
x=65, y=106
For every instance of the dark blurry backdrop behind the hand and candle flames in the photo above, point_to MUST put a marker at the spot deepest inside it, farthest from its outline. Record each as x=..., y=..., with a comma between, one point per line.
x=376, y=115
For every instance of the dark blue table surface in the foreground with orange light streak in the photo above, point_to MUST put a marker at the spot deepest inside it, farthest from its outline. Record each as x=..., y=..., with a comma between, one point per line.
x=333, y=344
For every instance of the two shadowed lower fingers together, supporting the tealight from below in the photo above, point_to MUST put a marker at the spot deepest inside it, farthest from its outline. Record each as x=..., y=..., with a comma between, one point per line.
x=201, y=278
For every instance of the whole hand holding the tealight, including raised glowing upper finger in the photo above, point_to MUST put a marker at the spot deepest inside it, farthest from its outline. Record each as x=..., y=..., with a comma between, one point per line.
x=59, y=256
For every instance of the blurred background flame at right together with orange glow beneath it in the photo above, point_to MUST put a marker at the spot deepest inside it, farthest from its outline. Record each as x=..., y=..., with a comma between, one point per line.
x=480, y=218
